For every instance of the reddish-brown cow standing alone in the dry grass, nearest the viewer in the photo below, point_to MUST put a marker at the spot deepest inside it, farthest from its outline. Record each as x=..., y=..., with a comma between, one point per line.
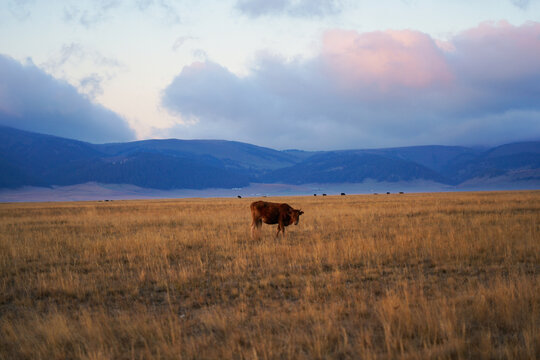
x=273, y=213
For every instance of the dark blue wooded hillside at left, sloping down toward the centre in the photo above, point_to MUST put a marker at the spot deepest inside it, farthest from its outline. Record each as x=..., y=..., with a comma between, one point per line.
x=41, y=160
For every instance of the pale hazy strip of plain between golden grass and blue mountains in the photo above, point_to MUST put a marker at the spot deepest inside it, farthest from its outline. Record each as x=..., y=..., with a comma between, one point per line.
x=96, y=191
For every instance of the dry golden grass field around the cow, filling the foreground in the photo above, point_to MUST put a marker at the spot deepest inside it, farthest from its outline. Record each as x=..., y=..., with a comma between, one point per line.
x=414, y=276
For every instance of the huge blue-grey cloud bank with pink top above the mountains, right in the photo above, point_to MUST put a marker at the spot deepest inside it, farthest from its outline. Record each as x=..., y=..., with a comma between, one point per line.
x=391, y=88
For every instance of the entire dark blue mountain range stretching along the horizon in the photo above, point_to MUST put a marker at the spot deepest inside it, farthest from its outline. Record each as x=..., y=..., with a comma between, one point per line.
x=32, y=159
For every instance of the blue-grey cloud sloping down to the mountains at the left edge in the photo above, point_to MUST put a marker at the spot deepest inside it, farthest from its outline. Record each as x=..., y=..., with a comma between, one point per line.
x=32, y=100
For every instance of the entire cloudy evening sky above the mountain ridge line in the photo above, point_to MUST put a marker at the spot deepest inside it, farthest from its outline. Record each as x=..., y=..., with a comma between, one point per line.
x=305, y=74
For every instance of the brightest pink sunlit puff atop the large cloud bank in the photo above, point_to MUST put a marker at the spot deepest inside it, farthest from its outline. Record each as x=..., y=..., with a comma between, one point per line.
x=384, y=60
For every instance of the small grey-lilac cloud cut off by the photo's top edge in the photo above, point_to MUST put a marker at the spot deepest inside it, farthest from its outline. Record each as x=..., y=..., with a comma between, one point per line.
x=297, y=8
